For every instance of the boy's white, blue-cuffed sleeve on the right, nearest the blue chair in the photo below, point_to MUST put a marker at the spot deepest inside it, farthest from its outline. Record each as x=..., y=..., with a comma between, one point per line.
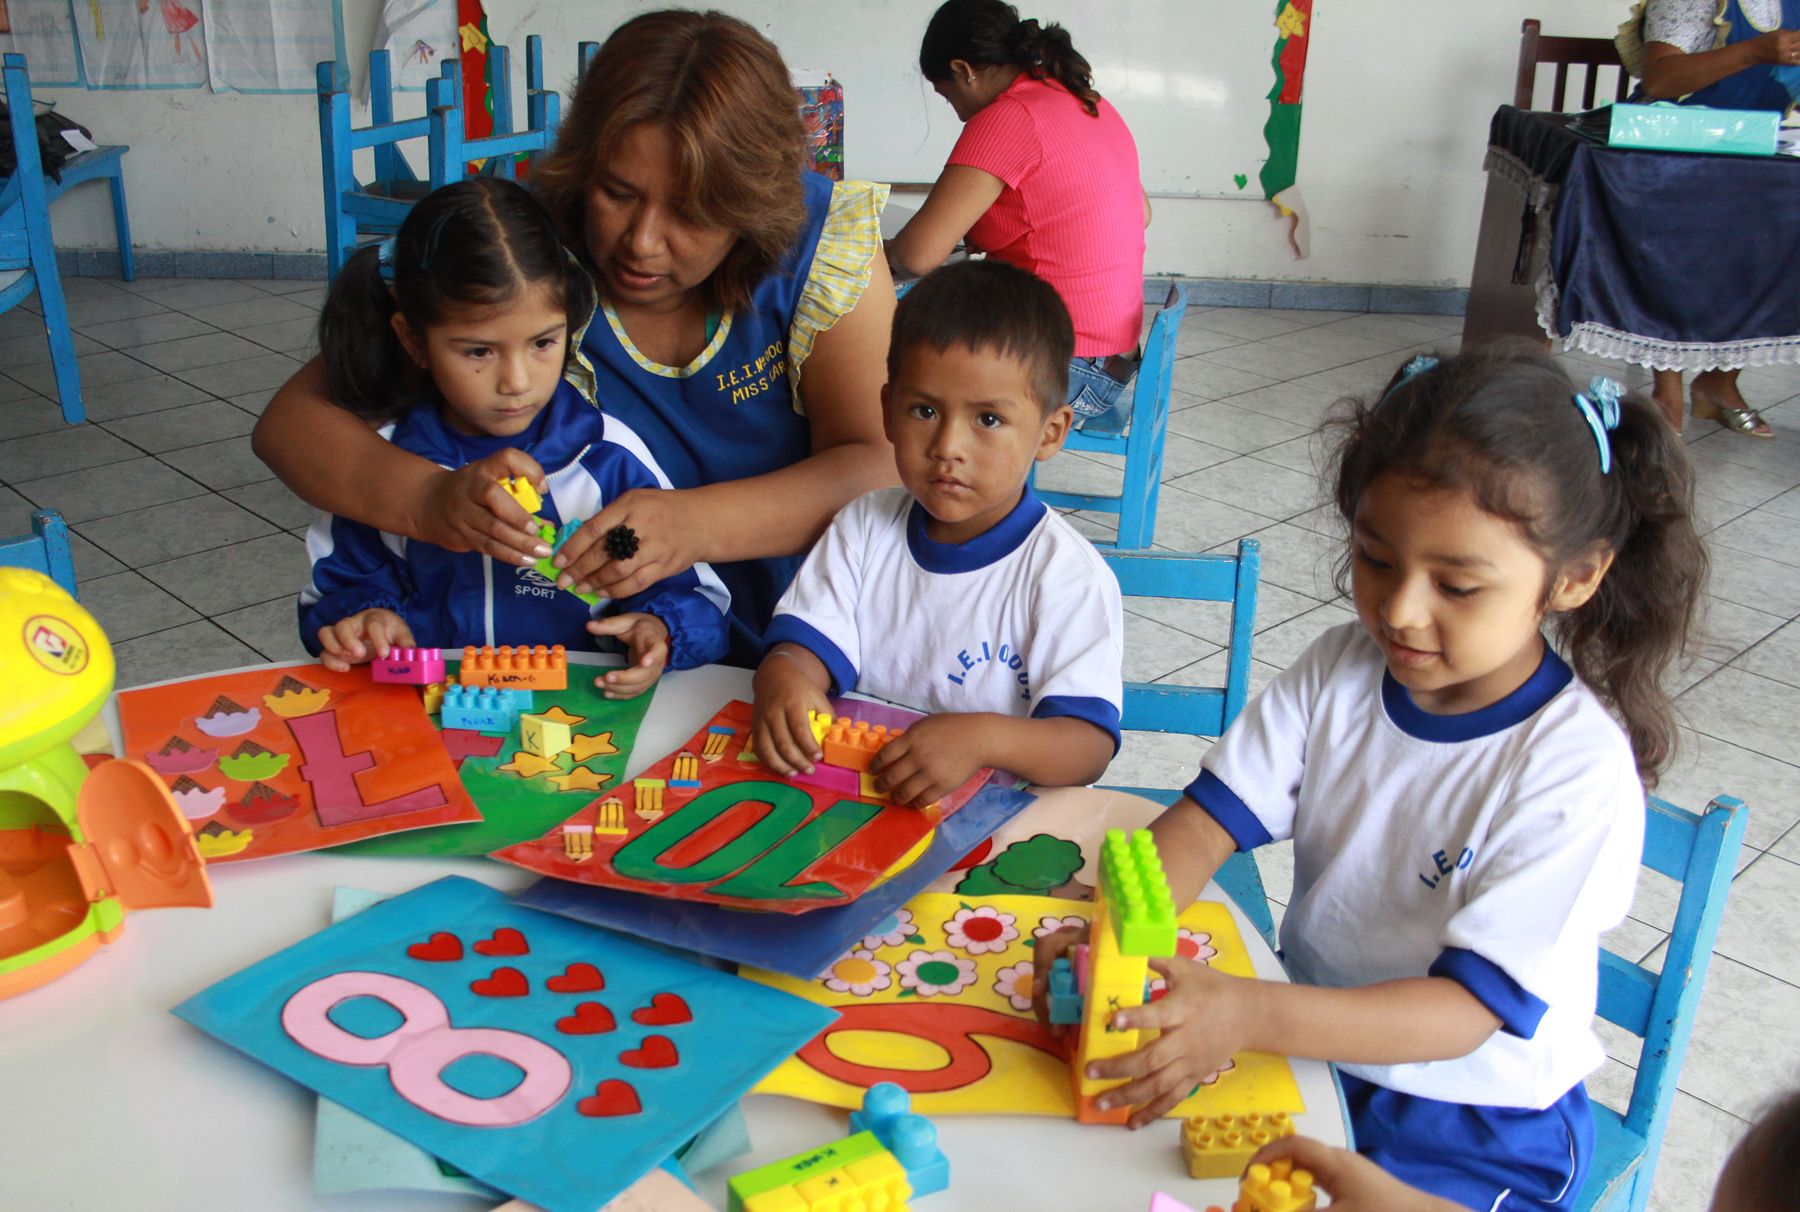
x=1077, y=647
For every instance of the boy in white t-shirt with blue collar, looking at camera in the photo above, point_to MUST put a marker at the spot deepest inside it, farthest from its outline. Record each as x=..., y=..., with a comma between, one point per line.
x=960, y=595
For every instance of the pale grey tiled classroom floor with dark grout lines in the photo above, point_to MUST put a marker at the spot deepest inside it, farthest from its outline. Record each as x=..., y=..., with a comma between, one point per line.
x=190, y=556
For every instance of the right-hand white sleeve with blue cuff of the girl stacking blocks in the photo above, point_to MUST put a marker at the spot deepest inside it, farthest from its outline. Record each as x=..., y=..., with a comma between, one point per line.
x=1556, y=871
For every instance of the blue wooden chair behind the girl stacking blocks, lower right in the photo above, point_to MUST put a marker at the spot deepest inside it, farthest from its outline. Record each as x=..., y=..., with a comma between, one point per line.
x=1660, y=1008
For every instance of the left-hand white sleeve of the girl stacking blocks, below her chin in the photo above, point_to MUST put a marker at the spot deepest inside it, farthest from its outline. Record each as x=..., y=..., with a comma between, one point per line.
x=1250, y=779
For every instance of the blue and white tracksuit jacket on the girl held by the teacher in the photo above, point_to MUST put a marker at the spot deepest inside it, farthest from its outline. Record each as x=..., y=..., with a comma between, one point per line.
x=467, y=599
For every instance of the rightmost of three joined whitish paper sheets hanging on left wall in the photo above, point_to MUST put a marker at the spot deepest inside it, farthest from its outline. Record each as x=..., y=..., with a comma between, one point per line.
x=271, y=46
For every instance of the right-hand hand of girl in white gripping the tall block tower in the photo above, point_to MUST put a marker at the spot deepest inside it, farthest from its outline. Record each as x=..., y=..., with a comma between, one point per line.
x=1203, y=1020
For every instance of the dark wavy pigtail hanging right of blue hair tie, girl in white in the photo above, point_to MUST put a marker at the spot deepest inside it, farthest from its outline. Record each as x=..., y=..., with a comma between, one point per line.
x=1626, y=637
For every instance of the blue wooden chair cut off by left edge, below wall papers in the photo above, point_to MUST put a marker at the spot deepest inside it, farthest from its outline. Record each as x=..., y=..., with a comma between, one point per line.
x=28, y=253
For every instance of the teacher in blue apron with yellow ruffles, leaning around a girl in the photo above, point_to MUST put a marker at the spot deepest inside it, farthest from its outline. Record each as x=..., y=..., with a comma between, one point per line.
x=741, y=332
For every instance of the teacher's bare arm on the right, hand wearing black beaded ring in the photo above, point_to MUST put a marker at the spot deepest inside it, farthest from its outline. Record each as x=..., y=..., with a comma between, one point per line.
x=784, y=511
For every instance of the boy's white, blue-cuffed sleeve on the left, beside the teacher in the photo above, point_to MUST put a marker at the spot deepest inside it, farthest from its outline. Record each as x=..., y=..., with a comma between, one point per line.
x=820, y=608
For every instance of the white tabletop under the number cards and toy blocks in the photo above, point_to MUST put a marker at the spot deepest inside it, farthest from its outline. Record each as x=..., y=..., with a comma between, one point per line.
x=109, y=1101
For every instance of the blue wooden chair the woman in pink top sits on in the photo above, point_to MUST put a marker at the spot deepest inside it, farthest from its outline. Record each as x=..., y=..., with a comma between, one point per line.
x=1144, y=440
